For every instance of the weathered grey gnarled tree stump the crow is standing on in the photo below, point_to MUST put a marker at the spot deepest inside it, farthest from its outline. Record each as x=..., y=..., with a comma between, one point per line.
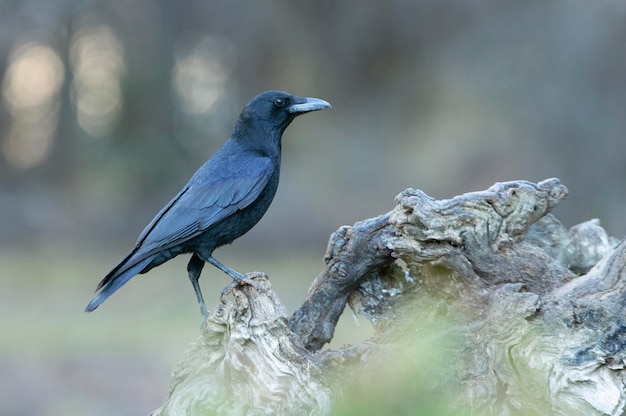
x=482, y=304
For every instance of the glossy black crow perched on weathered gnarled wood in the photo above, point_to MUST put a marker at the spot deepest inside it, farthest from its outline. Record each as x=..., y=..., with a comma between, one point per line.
x=222, y=201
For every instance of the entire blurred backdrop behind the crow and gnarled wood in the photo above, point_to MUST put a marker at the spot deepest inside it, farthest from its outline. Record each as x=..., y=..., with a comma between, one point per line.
x=108, y=107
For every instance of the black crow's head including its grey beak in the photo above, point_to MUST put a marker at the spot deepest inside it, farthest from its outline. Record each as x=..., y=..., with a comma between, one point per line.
x=274, y=111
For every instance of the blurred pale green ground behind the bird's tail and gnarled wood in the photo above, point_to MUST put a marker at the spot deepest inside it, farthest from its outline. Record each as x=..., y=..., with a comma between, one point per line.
x=57, y=360
